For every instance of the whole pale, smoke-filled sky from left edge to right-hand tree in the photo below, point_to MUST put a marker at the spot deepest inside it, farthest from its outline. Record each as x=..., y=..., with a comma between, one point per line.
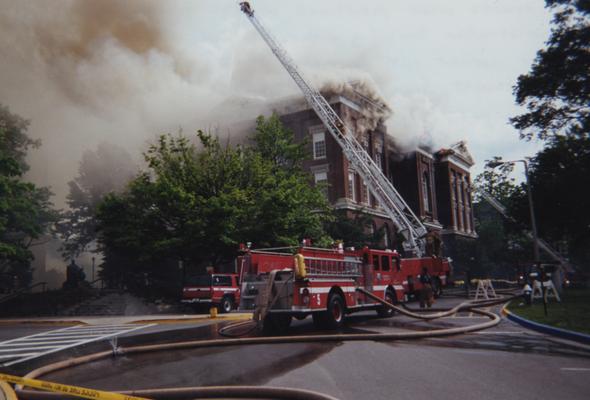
x=87, y=72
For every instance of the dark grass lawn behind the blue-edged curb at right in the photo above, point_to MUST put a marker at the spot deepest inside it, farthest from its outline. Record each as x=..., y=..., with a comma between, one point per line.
x=573, y=313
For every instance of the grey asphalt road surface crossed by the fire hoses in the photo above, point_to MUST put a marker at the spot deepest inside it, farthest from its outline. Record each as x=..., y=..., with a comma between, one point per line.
x=504, y=362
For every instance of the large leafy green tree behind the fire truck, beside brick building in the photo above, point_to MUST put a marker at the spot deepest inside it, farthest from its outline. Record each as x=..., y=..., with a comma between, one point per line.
x=197, y=202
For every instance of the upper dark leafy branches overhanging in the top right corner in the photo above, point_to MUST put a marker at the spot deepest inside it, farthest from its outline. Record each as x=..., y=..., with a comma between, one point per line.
x=556, y=92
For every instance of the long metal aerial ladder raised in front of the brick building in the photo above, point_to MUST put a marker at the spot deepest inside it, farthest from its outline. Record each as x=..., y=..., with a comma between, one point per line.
x=390, y=200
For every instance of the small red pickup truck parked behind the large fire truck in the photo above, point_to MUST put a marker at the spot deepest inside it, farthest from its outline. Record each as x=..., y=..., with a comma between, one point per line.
x=212, y=290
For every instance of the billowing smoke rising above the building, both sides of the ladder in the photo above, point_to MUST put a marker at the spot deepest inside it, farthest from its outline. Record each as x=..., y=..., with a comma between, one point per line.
x=87, y=72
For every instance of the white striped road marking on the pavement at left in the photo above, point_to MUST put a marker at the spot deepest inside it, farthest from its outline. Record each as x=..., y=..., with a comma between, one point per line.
x=53, y=341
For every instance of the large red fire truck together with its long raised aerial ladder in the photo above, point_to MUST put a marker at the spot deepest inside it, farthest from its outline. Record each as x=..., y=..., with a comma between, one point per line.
x=328, y=283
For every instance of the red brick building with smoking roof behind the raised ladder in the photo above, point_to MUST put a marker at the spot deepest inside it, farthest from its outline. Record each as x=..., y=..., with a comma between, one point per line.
x=434, y=184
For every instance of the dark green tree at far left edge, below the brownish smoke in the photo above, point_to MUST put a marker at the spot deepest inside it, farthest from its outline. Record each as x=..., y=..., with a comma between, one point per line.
x=25, y=209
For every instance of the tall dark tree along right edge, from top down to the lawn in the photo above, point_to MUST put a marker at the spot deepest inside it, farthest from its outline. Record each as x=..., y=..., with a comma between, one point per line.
x=556, y=93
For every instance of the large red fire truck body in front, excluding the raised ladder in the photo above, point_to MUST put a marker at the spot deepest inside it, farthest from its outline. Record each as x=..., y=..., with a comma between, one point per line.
x=278, y=285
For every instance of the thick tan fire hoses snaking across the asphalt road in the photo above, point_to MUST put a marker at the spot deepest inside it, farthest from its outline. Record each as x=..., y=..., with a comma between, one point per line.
x=238, y=392
